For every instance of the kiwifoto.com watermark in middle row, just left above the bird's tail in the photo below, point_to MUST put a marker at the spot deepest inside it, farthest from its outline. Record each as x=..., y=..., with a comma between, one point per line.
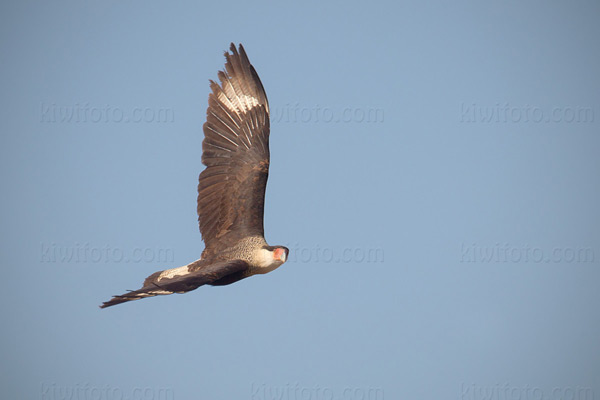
x=88, y=253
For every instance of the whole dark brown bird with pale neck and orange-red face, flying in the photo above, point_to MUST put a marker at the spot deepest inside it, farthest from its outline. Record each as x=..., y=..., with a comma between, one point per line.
x=231, y=189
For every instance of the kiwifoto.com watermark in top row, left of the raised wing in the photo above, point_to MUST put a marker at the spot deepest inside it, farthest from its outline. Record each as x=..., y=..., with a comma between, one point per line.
x=85, y=113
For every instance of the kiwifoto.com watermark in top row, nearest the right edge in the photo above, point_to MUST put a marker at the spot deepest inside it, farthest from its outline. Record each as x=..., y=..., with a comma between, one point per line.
x=506, y=113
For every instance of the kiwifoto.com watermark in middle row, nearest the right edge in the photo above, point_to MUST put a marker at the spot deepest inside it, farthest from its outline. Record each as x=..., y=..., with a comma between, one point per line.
x=508, y=253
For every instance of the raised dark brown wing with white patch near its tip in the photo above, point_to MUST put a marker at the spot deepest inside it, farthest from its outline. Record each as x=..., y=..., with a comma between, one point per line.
x=235, y=150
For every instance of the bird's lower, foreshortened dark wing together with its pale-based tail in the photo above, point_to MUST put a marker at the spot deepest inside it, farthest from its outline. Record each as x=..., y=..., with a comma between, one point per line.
x=179, y=281
